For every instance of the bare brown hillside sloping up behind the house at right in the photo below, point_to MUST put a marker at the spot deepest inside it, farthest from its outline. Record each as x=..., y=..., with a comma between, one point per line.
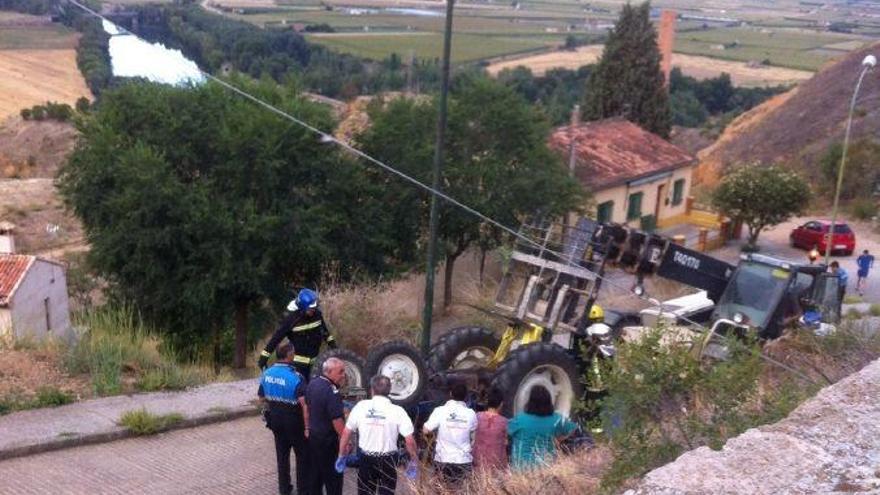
x=797, y=127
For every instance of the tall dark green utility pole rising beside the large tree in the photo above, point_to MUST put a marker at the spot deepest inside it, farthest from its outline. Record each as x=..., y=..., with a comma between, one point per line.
x=428, y=313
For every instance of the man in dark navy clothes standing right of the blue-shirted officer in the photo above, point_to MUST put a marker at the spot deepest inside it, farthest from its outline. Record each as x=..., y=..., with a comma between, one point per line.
x=326, y=423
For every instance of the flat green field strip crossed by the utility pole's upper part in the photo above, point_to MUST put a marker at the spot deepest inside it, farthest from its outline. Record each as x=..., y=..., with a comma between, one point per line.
x=465, y=47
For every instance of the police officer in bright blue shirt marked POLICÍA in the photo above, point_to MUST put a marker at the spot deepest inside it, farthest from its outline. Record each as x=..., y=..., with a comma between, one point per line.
x=283, y=389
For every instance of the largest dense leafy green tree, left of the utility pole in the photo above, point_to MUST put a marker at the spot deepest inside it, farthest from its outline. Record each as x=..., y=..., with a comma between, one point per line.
x=200, y=207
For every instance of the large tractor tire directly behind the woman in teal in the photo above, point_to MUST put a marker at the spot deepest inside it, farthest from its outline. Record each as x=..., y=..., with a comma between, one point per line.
x=539, y=364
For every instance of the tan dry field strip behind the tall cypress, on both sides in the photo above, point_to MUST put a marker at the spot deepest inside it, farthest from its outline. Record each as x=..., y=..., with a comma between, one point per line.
x=695, y=66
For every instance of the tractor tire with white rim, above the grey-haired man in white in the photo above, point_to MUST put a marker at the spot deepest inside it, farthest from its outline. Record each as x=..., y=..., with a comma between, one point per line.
x=404, y=365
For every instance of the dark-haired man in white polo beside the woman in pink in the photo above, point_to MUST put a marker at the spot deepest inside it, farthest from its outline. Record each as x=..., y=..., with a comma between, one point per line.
x=455, y=424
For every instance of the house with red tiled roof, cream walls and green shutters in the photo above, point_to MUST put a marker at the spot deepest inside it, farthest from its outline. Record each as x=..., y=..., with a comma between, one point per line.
x=636, y=177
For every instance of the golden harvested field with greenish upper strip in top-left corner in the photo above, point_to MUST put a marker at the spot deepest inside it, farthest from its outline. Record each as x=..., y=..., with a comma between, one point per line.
x=37, y=64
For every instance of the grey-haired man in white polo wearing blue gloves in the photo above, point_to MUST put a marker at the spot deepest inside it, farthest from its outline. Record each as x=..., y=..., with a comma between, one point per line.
x=378, y=422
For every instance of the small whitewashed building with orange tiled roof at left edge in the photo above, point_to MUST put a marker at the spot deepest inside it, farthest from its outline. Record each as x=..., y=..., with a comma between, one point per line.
x=33, y=298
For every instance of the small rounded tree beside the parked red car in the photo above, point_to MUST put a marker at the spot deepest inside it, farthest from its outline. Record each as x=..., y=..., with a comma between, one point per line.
x=761, y=196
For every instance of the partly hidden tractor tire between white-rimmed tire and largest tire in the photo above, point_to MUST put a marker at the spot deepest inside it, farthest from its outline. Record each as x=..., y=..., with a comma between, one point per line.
x=463, y=348
